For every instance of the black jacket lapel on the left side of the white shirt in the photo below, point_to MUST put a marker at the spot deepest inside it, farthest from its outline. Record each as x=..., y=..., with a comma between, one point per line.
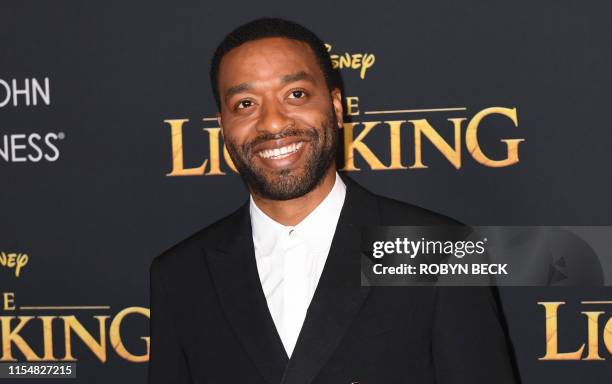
x=233, y=269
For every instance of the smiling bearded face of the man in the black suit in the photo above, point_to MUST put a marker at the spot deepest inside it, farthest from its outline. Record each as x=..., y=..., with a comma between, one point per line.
x=279, y=119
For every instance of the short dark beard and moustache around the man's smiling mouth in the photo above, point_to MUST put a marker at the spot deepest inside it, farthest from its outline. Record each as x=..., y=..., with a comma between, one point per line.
x=289, y=183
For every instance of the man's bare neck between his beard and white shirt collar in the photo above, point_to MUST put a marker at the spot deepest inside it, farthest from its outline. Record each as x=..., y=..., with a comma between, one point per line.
x=292, y=212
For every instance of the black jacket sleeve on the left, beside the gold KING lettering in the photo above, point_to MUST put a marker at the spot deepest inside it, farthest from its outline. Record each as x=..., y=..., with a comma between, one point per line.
x=167, y=362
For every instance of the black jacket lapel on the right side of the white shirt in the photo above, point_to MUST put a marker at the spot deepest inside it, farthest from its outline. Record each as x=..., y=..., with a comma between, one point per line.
x=339, y=294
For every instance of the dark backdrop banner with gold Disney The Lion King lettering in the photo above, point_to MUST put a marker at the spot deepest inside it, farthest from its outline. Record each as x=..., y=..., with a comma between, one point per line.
x=493, y=113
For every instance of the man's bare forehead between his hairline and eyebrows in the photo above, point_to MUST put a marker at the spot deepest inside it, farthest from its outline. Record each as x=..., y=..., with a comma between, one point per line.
x=267, y=59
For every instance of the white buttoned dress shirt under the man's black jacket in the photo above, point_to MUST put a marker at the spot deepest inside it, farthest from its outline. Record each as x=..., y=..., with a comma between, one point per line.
x=290, y=260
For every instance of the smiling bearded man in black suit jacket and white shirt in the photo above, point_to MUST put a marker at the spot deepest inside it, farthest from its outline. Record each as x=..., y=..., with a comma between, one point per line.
x=272, y=293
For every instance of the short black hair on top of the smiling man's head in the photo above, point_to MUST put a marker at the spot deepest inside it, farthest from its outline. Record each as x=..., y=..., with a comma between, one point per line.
x=271, y=27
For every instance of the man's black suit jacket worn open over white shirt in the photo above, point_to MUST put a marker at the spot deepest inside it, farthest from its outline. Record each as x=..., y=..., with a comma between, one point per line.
x=210, y=322
